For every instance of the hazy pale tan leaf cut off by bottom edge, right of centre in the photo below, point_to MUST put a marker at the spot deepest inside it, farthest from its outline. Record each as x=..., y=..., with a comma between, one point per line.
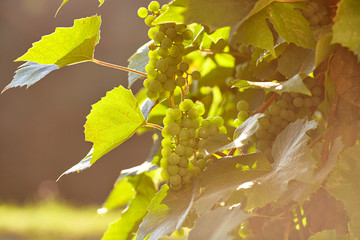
x=217, y=224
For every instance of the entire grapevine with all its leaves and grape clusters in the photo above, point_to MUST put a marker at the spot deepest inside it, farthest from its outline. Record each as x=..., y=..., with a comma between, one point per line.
x=257, y=102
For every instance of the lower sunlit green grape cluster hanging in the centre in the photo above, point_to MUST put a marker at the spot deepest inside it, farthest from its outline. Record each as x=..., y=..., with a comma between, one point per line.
x=184, y=128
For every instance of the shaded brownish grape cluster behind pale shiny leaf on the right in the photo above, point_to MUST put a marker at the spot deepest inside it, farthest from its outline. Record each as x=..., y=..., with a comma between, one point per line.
x=287, y=108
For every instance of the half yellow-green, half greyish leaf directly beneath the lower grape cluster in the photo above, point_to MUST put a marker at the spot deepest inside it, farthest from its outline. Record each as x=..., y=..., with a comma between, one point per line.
x=167, y=212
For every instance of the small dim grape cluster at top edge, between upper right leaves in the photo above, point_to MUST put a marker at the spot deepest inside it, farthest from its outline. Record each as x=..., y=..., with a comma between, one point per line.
x=316, y=14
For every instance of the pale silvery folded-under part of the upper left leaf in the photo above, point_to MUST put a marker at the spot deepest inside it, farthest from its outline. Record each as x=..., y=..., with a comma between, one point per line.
x=29, y=73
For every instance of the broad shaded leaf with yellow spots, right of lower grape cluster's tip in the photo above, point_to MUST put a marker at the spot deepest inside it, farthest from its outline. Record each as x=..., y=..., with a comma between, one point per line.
x=227, y=174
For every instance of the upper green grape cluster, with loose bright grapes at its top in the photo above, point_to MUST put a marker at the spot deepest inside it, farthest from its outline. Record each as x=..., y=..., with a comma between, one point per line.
x=166, y=69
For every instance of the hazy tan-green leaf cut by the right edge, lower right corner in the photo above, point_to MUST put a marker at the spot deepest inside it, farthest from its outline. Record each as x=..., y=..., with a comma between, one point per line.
x=344, y=184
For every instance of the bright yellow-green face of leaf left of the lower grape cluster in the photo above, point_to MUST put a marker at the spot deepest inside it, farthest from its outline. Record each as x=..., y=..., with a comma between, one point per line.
x=112, y=120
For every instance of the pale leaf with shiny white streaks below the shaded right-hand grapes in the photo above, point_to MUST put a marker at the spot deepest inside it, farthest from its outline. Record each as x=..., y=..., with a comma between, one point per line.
x=292, y=161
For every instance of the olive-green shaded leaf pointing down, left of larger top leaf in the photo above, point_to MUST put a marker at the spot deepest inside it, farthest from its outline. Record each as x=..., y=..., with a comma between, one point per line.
x=255, y=31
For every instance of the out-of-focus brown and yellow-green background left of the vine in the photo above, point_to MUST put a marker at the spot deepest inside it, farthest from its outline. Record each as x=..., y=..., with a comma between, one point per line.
x=41, y=128
